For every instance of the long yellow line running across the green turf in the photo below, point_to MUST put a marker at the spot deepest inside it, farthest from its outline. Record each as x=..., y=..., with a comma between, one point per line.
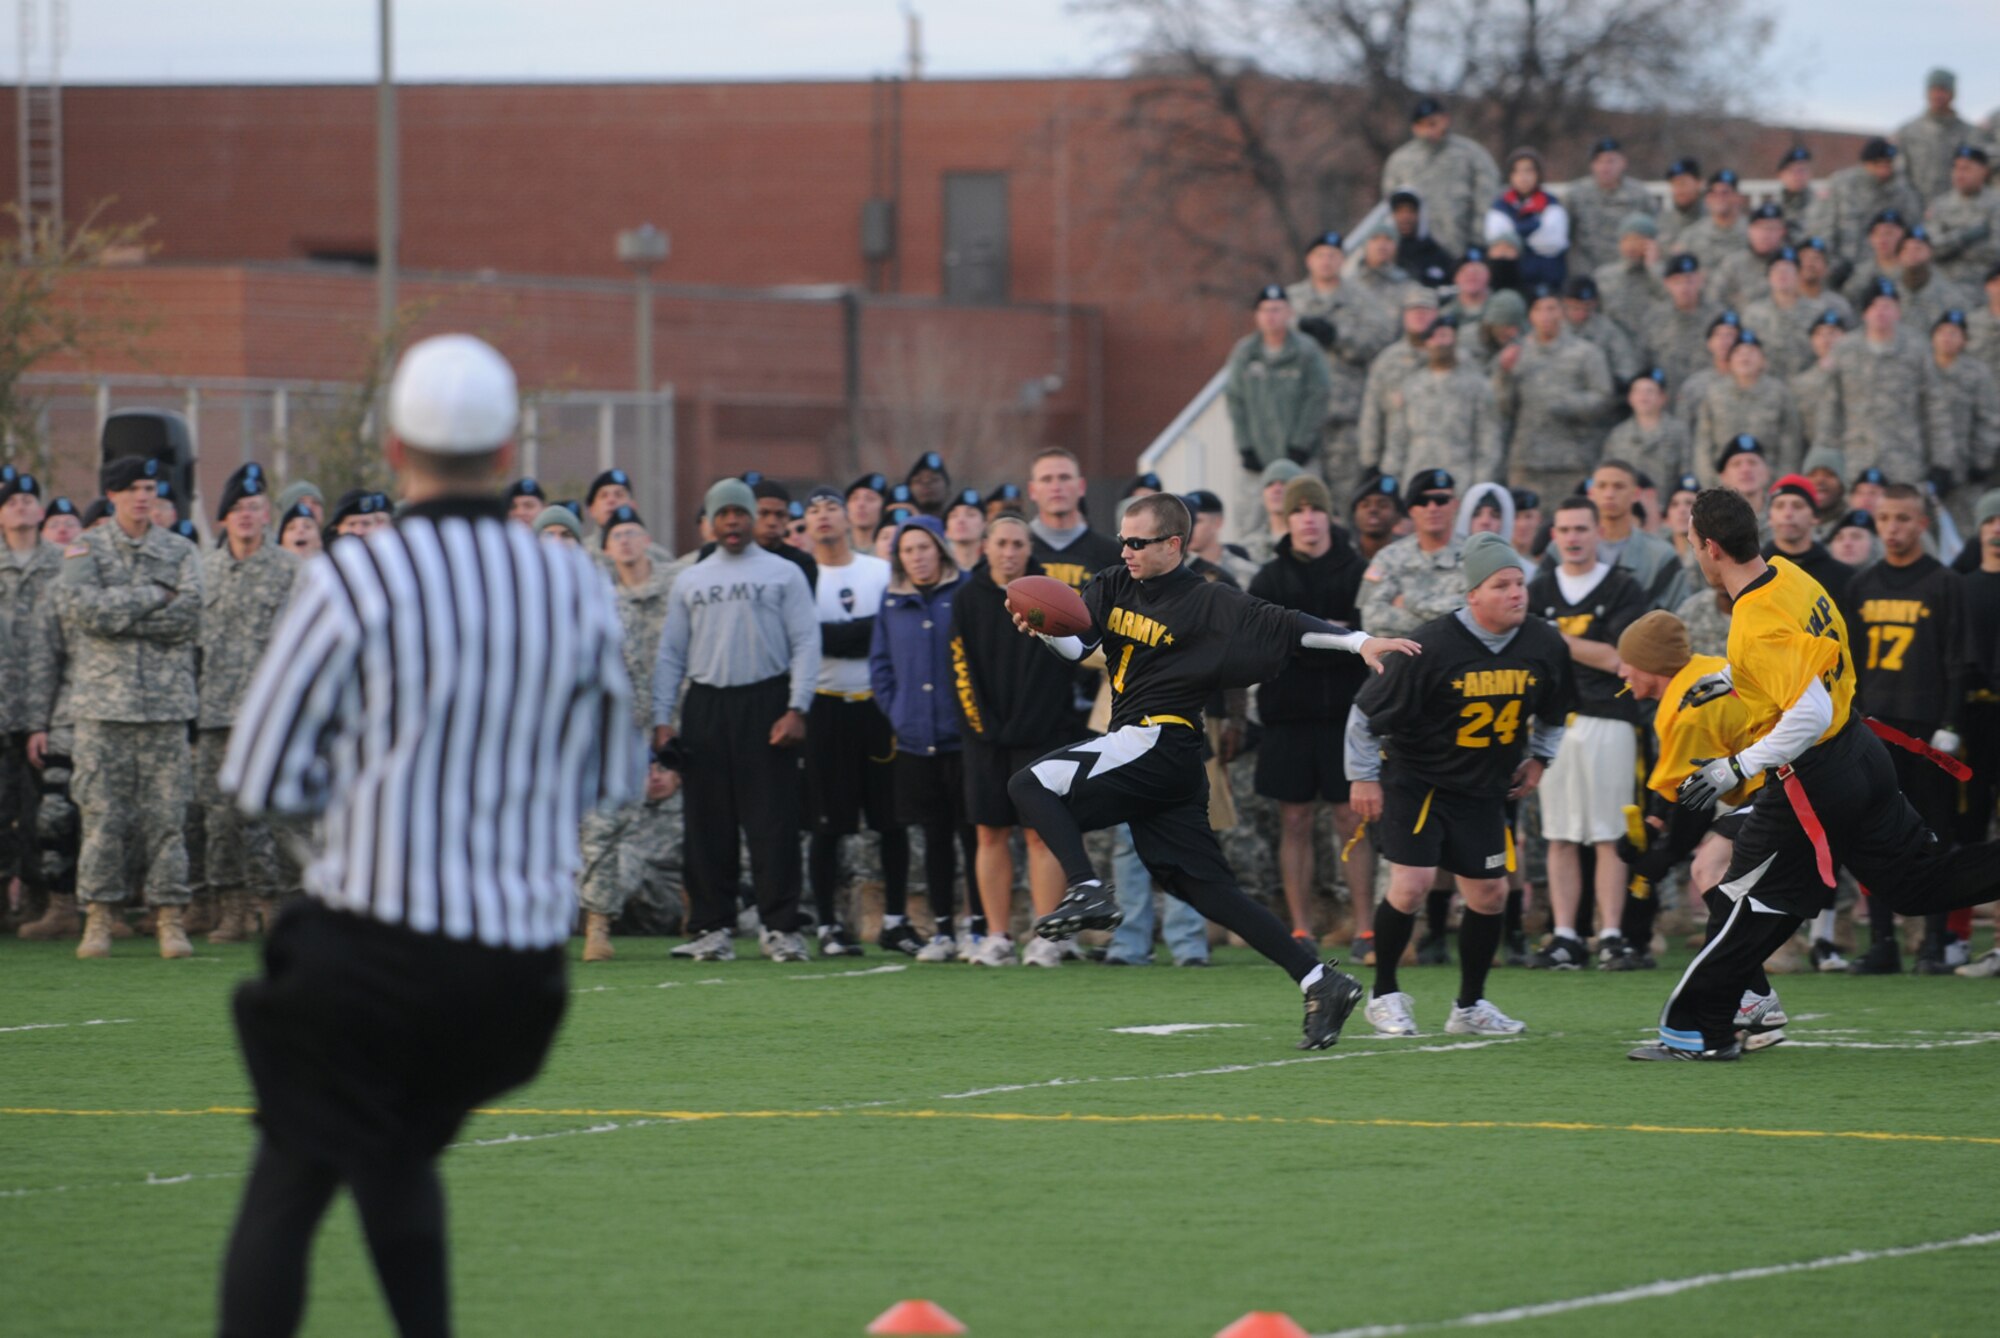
x=697, y=1117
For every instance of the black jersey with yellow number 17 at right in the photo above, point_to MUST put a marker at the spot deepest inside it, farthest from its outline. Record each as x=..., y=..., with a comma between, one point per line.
x=1909, y=641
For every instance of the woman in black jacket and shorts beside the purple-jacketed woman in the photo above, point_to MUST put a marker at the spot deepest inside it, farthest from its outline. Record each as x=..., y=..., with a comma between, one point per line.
x=1017, y=707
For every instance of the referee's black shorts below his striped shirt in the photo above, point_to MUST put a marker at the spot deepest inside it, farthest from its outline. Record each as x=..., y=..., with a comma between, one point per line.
x=369, y=1041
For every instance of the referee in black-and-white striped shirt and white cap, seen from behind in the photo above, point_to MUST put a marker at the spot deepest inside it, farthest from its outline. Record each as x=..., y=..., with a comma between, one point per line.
x=445, y=701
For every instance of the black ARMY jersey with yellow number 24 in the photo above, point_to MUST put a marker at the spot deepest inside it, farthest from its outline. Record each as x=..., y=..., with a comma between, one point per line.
x=1459, y=717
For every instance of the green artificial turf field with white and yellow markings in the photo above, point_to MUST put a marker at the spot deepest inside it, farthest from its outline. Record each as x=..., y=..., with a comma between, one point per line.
x=1383, y=1185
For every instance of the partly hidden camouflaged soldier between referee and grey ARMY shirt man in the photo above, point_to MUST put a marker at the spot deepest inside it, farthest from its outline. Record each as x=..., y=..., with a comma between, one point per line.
x=633, y=851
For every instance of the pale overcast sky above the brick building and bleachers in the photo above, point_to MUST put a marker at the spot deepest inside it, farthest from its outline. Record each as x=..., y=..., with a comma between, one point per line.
x=1851, y=63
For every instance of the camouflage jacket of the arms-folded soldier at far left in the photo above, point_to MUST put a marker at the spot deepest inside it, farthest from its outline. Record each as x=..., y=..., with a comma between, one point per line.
x=131, y=615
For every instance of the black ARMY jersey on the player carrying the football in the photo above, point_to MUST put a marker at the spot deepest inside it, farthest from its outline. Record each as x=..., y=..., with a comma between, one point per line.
x=1175, y=639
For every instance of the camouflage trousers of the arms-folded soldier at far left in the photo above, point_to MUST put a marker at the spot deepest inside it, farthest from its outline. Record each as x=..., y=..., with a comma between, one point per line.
x=133, y=787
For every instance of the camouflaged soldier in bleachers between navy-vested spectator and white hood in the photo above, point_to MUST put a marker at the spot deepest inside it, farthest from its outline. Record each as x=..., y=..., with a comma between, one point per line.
x=1557, y=401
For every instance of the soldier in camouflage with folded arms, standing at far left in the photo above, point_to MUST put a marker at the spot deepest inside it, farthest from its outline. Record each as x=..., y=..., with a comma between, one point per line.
x=131, y=599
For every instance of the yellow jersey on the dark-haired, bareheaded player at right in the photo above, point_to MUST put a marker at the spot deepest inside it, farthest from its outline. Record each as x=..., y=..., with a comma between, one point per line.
x=1787, y=633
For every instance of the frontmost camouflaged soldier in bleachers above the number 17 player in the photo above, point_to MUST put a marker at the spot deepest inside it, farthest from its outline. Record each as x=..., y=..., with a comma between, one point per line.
x=1889, y=403
